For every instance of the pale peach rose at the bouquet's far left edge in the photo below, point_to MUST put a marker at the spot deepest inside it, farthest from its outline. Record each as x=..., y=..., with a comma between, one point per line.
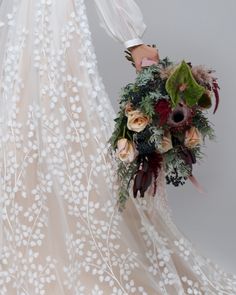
x=126, y=151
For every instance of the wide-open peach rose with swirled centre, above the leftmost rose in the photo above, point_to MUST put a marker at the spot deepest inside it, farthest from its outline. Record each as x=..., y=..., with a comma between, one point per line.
x=137, y=121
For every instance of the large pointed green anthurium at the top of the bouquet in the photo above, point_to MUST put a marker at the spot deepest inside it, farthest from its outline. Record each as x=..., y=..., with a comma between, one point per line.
x=182, y=85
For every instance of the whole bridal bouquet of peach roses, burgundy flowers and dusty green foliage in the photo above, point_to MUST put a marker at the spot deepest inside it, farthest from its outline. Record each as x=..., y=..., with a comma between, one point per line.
x=162, y=124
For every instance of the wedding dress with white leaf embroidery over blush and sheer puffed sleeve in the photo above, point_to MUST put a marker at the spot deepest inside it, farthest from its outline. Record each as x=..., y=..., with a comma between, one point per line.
x=60, y=230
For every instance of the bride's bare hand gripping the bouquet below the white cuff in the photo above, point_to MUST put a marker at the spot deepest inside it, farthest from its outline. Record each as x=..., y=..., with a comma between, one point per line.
x=143, y=51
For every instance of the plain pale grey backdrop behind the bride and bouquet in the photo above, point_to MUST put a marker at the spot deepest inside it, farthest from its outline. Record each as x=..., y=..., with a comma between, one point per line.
x=202, y=32
